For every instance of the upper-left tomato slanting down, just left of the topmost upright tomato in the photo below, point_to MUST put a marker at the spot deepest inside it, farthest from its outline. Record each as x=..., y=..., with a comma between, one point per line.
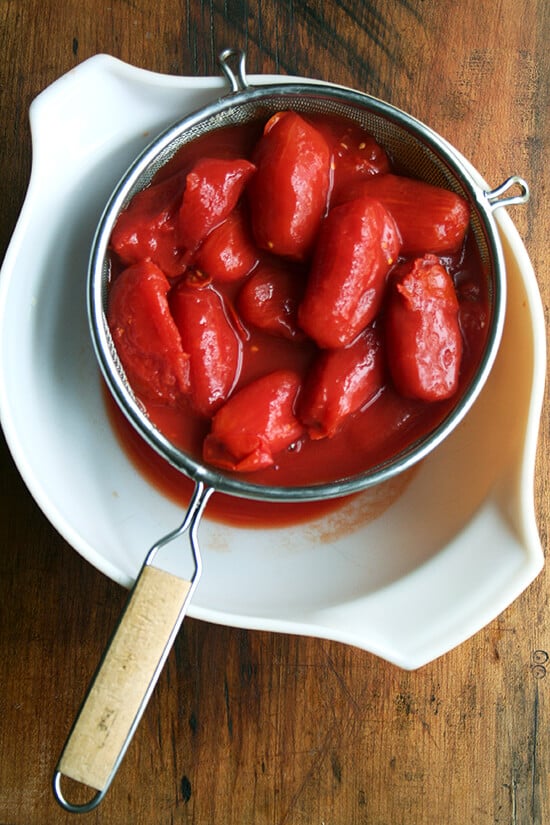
x=213, y=187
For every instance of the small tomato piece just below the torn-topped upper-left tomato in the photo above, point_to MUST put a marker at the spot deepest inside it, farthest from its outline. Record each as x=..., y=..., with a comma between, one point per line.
x=228, y=253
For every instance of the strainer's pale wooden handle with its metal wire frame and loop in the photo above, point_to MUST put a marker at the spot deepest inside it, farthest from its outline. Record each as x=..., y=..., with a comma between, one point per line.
x=131, y=665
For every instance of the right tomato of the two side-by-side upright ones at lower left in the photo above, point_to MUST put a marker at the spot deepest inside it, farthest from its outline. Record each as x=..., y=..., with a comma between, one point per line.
x=212, y=343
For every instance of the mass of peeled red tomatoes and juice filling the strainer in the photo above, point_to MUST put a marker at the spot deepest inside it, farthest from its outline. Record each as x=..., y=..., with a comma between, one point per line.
x=266, y=335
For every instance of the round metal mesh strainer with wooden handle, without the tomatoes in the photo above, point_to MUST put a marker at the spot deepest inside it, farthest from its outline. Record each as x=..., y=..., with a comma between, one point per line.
x=139, y=647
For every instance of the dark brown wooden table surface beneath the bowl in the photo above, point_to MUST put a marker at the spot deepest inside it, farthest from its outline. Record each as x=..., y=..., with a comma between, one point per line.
x=251, y=727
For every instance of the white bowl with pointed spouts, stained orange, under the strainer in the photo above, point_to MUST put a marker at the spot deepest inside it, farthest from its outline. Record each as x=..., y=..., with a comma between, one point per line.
x=452, y=551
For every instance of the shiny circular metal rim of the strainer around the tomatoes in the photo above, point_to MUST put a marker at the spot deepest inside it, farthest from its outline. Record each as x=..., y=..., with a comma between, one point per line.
x=130, y=406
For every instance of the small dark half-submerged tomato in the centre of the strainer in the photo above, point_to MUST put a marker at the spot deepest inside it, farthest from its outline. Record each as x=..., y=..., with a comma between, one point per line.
x=270, y=298
